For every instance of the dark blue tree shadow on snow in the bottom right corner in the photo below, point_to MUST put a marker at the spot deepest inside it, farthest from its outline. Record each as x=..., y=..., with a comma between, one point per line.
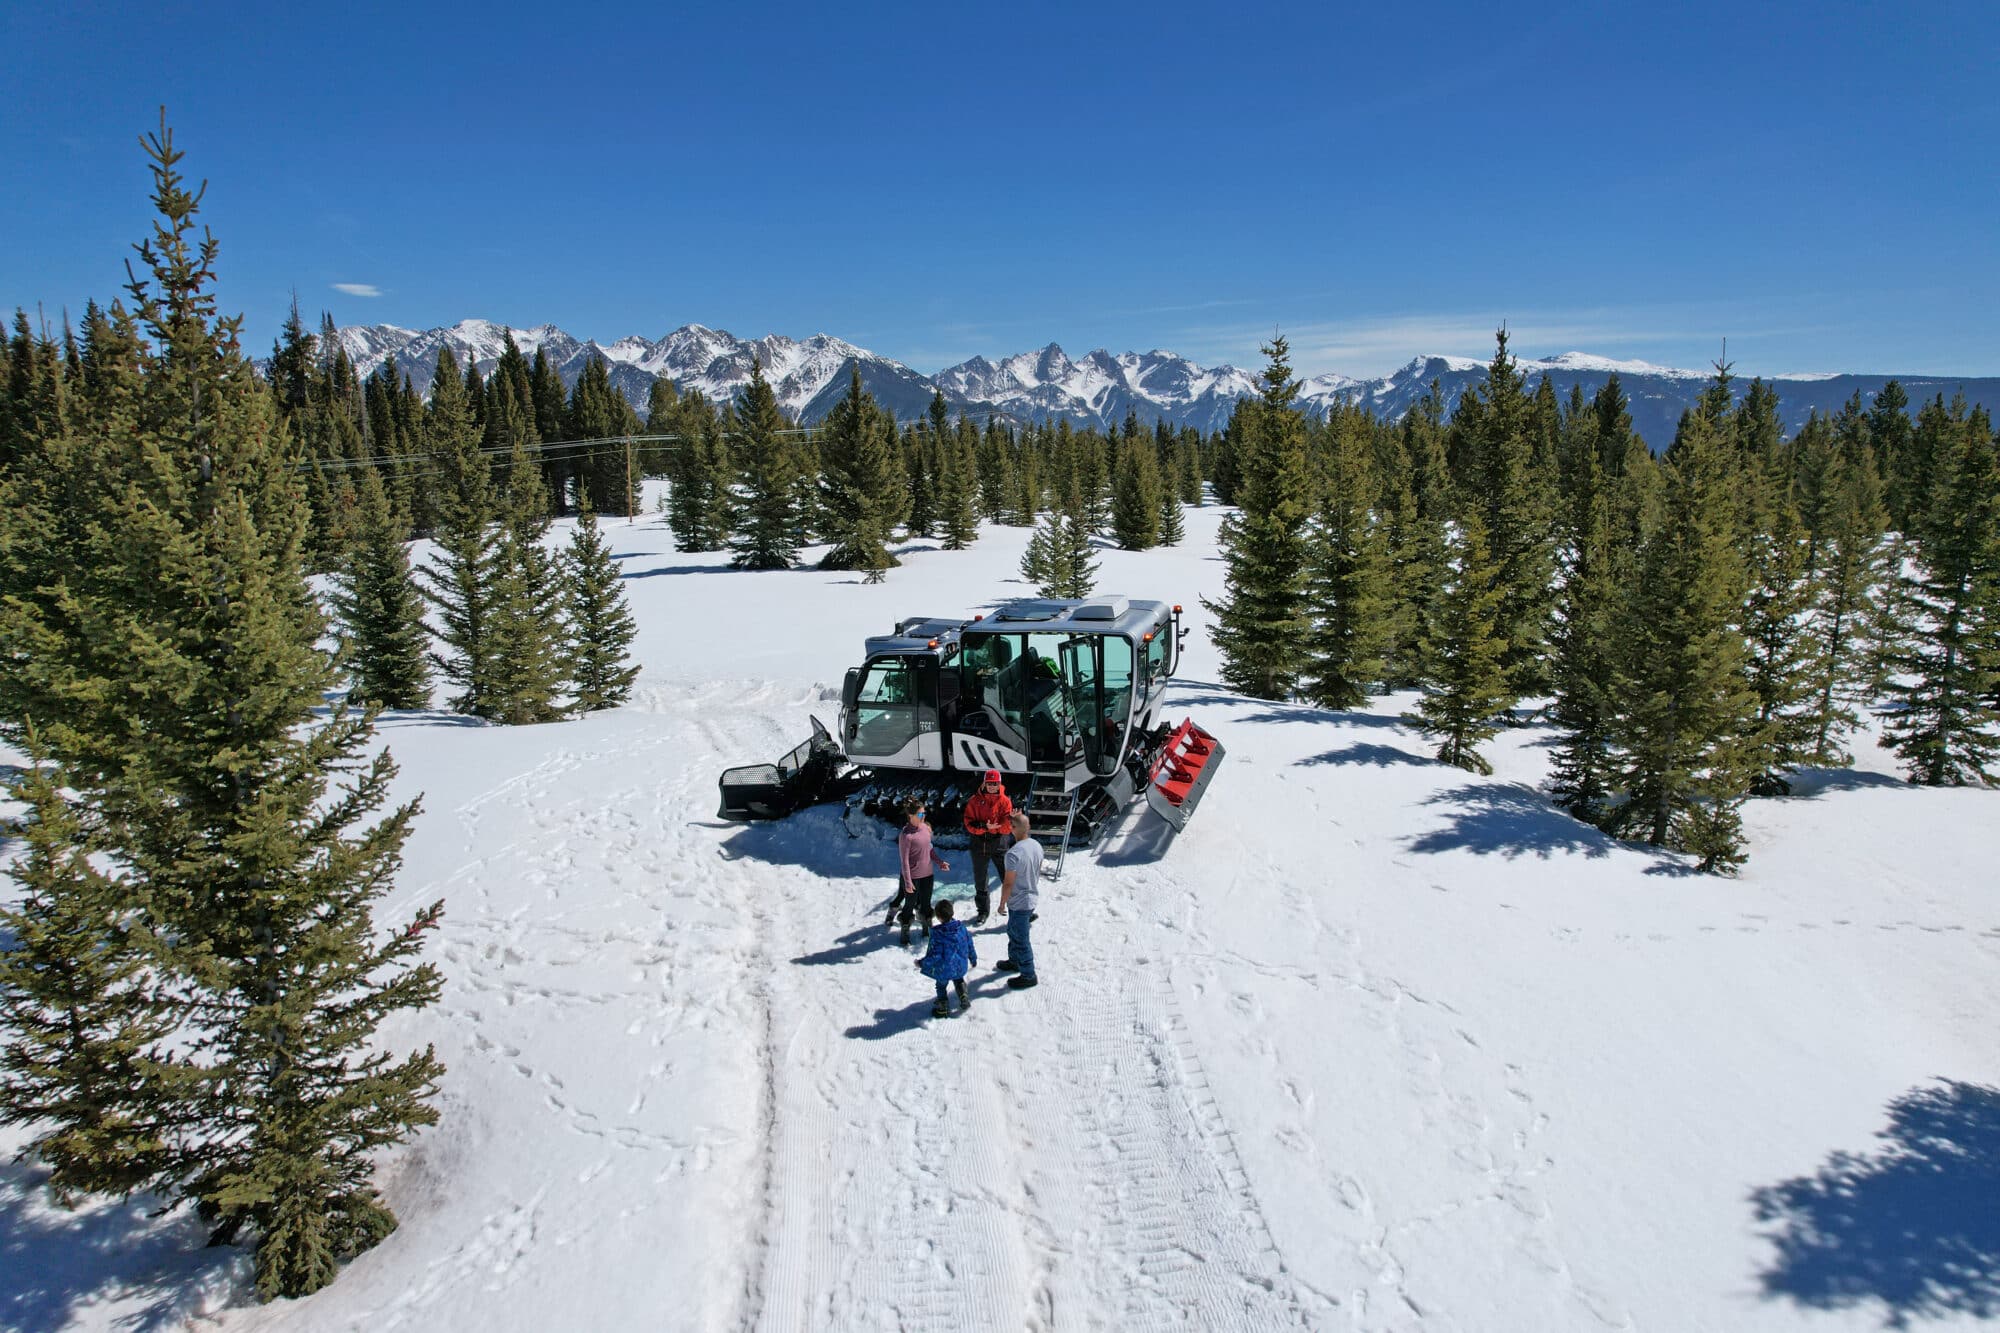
x=1915, y=1226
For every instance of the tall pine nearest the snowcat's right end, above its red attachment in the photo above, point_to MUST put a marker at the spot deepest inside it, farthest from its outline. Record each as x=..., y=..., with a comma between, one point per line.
x=1261, y=617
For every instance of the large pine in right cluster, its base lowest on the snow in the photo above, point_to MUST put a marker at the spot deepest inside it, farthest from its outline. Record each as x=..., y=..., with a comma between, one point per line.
x=1687, y=728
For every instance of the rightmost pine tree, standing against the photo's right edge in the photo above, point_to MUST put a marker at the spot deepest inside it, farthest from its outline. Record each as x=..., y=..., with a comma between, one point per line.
x=1949, y=661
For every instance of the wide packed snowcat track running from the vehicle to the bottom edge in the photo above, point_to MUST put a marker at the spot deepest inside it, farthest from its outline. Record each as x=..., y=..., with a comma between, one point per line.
x=1053, y=1160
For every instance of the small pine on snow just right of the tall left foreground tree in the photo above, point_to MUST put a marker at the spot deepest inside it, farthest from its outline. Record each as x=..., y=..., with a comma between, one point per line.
x=381, y=611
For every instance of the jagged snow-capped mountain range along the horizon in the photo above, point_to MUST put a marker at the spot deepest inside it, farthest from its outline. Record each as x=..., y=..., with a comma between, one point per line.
x=1097, y=389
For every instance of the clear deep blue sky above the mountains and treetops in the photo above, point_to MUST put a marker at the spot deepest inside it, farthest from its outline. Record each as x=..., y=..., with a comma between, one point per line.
x=1815, y=183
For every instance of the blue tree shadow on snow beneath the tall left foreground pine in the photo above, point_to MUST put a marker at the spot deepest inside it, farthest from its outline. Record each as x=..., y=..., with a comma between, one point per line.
x=57, y=1264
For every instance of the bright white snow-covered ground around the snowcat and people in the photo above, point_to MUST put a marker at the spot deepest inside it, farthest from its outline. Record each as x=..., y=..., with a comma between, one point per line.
x=1373, y=1046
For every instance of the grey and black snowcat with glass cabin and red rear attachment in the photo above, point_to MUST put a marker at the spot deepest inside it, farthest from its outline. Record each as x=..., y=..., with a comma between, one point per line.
x=1061, y=698
